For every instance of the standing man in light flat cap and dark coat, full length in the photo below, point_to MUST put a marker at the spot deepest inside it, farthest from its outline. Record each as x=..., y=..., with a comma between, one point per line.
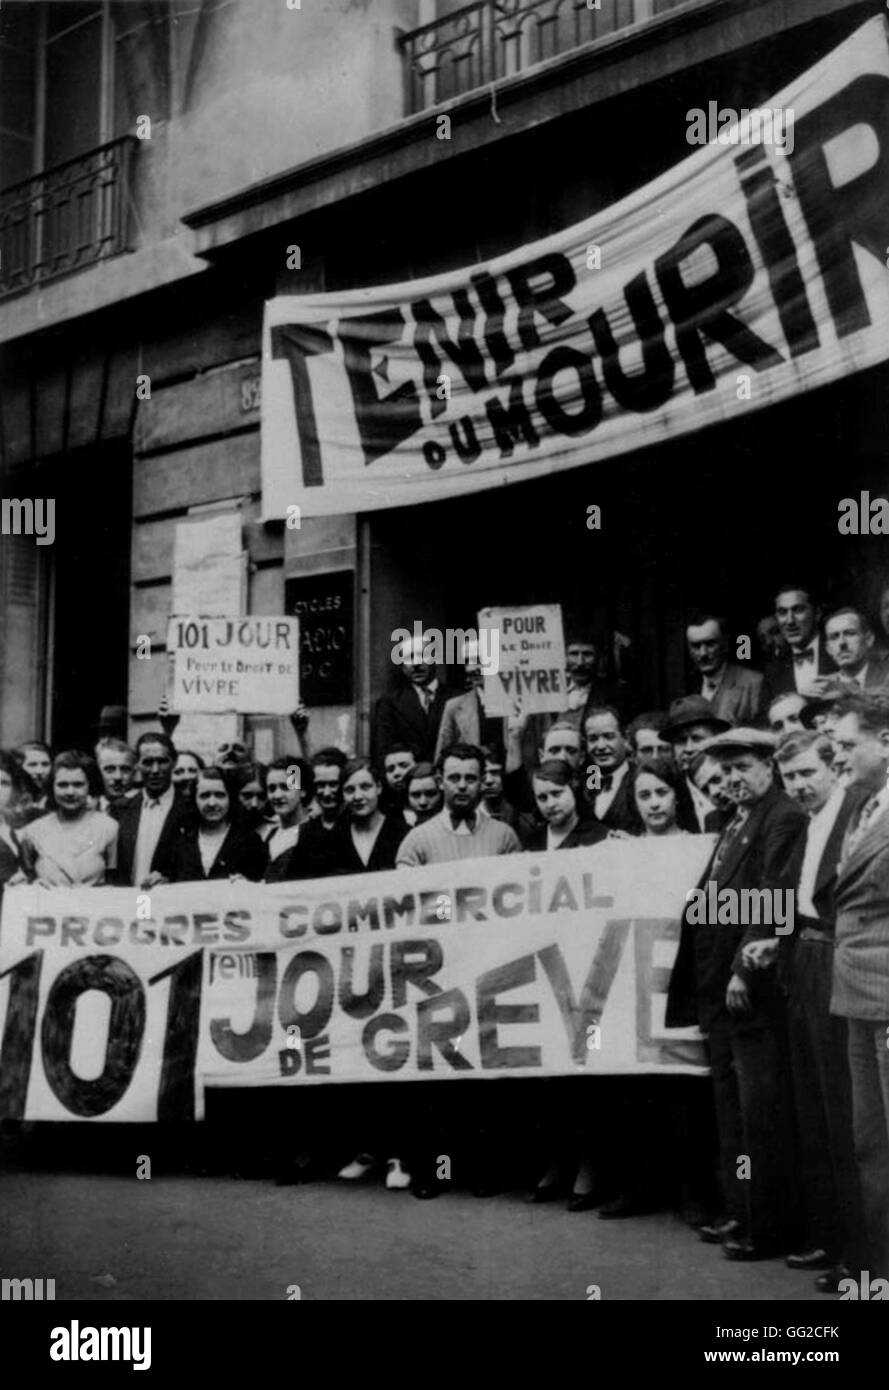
x=742, y=1010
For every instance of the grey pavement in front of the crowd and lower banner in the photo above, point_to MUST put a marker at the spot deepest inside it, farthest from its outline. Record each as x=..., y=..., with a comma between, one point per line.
x=112, y=1238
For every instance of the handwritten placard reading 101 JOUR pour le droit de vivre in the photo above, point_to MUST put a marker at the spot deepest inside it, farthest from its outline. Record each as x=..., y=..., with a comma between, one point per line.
x=234, y=665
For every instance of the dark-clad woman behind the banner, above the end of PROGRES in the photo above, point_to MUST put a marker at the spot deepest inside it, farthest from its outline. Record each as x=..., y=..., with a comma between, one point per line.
x=216, y=844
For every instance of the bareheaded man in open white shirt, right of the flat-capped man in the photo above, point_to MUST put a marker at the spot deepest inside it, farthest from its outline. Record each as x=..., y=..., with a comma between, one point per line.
x=819, y=1040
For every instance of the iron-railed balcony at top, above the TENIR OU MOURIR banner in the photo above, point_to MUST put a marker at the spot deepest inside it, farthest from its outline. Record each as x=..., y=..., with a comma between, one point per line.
x=497, y=40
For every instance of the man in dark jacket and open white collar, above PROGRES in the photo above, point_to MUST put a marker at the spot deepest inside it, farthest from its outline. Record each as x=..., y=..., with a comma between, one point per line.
x=149, y=822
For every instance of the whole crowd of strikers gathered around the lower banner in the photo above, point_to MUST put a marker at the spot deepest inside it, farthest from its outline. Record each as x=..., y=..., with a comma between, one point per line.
x=787, y=768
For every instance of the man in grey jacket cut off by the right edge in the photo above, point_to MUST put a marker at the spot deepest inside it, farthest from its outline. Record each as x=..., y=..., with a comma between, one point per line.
x=861, y=737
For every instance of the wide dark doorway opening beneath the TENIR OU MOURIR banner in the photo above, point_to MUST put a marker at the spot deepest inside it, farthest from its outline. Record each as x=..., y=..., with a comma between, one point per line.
x=715, y=519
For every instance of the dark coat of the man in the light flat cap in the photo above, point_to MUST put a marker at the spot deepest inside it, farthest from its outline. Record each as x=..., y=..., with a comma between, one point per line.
x=711, y=954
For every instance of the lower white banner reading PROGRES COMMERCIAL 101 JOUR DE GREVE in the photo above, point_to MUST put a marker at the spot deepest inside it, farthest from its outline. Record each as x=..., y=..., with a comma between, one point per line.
x=113, y=1004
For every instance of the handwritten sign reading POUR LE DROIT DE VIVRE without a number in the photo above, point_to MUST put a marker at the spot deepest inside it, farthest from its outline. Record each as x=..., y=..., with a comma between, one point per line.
x=533, y=661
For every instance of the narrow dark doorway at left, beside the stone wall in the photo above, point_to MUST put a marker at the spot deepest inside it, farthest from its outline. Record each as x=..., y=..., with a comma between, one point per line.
x=91, y=590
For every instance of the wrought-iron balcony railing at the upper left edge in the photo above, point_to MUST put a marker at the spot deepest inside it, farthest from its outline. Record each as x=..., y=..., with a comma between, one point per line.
x=67, y=219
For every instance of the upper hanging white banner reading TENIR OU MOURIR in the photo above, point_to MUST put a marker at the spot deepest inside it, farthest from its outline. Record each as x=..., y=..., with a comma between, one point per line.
x=742, y=276
